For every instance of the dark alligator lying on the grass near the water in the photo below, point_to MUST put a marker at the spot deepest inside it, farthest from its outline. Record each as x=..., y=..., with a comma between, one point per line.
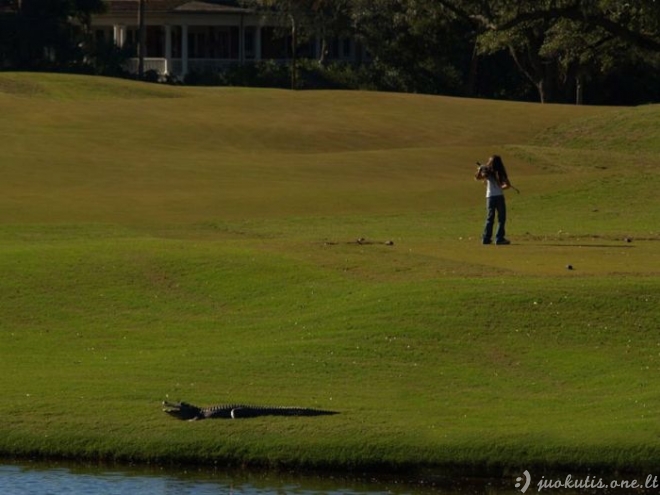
x=189, y=412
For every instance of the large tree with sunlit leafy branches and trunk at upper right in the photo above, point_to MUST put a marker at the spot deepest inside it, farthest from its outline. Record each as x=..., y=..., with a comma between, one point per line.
x=552, y=39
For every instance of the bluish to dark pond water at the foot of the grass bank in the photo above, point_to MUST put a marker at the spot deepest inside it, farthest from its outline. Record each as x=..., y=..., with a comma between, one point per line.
x=28, y=478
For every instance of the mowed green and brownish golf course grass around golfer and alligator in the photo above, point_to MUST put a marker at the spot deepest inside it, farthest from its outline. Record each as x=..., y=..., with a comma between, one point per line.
x=200, y=244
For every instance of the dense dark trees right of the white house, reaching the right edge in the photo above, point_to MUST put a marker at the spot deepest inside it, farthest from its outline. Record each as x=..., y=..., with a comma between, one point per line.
x=602, y=51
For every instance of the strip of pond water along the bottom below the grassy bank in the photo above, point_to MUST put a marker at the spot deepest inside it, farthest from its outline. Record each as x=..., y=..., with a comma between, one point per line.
x=24, y=477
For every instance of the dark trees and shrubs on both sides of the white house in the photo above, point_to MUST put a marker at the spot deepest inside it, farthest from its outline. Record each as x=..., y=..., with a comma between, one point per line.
x=595, y=51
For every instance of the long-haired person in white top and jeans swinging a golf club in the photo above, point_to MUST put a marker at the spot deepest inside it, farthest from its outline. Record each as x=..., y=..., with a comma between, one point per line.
x=494, y=175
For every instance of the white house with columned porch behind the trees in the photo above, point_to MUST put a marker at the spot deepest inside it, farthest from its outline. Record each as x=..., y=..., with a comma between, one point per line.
x=201, y=35
